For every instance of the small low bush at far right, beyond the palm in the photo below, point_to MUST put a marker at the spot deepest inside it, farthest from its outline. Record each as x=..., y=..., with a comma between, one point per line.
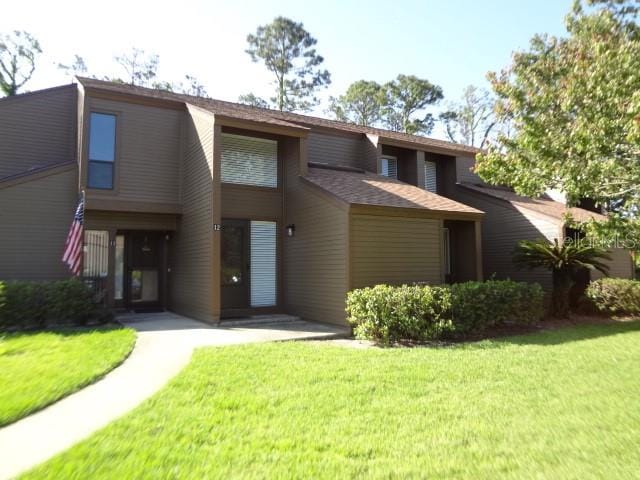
x=616, y=296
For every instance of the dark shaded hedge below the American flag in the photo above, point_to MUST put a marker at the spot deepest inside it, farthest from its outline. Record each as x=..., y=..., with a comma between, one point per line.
x=27, y=305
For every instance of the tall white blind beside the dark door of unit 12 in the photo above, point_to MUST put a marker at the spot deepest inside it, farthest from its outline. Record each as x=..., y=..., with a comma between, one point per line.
x=263, y=264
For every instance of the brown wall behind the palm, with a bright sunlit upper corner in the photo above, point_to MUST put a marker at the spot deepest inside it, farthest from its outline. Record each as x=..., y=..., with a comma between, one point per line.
x=502, y=227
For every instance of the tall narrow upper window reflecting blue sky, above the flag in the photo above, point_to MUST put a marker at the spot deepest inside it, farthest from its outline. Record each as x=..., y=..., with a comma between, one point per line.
x=102, y=150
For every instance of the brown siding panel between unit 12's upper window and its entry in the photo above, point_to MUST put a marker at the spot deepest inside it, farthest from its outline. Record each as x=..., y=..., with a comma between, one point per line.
x=244, y=202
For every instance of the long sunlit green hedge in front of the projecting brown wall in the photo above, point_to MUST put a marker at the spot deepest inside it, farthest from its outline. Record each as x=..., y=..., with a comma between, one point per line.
x=387, y=314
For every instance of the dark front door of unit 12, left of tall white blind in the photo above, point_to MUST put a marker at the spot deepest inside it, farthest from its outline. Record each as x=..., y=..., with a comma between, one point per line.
x=235, y=264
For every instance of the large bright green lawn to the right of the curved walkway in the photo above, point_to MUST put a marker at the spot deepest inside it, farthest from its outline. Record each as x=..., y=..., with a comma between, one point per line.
x=559, y=404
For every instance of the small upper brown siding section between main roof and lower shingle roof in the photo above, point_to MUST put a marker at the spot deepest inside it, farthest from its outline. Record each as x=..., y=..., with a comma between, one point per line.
x=337, y=150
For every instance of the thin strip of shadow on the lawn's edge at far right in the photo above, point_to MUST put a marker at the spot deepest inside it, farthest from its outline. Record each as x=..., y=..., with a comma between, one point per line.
x=569, y=334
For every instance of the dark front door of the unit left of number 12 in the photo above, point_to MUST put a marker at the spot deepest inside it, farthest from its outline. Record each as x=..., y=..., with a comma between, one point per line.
x=144, y=272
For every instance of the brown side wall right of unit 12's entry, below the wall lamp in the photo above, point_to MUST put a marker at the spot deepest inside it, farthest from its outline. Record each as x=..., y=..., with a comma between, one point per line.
x=315, y=259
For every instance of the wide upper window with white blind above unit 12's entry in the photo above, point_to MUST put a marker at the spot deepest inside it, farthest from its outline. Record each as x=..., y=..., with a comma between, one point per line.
x=249, y=161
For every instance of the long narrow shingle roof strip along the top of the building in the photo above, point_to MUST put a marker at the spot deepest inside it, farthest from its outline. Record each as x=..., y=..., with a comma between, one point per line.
x=237, y=110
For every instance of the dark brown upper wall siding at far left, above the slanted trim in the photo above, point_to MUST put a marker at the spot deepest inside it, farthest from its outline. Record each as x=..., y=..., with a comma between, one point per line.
x=37, y=129
